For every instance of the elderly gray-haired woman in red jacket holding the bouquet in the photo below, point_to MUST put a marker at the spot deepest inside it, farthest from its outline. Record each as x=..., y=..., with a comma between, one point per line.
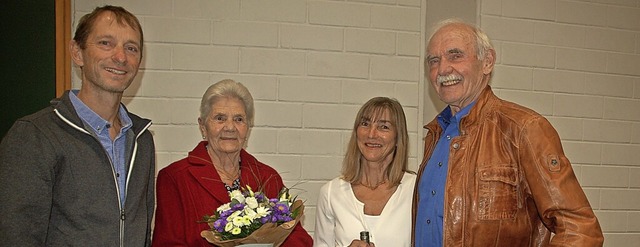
x=195, y=186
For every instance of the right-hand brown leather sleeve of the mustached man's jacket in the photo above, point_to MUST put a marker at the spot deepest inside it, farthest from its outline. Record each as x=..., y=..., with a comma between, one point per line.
x=560, y=200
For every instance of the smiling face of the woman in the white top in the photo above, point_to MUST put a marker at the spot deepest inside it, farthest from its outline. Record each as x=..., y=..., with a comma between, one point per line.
x=376, y=138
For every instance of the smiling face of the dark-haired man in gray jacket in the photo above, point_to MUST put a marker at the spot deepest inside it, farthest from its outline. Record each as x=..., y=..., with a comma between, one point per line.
x=112, y=55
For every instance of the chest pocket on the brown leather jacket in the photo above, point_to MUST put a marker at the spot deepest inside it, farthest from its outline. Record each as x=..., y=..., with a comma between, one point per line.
x=497, y=192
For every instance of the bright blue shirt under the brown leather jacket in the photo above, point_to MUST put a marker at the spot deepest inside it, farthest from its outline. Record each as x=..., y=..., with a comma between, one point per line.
x=429, y=218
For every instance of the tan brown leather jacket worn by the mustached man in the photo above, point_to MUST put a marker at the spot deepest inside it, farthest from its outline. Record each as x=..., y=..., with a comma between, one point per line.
x=509, y=182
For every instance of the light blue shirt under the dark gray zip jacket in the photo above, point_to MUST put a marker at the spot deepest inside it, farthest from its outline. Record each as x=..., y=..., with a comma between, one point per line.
x=115, y=149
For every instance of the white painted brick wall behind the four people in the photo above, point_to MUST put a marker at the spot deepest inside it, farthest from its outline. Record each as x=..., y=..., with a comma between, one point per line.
x=310, y=64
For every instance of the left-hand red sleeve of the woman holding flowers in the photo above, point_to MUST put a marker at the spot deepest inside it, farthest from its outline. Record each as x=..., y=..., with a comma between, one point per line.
x=170, y=214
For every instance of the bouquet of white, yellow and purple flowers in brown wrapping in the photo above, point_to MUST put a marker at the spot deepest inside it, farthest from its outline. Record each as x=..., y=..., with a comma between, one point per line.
x=251, y=217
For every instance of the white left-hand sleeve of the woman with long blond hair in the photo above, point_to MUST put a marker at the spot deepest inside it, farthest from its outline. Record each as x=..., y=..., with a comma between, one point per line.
x=325, y=223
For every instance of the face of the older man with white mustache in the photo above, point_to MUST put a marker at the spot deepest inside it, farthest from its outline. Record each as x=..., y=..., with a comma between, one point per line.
x=455, y=72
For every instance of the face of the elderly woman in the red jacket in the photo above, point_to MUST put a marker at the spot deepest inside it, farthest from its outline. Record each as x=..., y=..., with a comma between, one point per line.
x=225, y=128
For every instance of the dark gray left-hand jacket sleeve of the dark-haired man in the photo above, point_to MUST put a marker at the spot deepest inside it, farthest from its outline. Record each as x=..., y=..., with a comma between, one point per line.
x=27, y=161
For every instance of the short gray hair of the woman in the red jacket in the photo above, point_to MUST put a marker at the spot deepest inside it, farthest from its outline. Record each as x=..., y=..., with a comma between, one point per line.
x=227, y=88
